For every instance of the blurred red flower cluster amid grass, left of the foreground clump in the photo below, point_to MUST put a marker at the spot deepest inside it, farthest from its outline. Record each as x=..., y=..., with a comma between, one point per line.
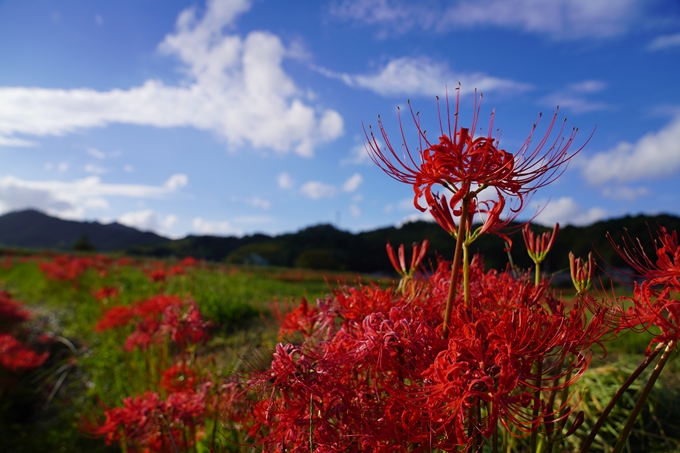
x=156, y=319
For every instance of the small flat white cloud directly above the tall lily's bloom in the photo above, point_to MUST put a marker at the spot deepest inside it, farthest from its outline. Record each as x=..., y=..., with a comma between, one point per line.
x=422, y=77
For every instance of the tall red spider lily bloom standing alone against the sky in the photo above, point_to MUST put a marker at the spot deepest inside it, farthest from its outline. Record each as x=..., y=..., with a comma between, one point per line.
x=466, y=165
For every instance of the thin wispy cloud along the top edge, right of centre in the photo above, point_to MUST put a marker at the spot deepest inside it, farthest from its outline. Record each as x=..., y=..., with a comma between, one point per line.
x=559, y=19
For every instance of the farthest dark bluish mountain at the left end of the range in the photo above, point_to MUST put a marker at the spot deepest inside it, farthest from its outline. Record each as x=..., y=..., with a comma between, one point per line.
x=35, y=230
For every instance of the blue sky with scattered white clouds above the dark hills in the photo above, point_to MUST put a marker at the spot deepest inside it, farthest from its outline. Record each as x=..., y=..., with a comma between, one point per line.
x=237, y=116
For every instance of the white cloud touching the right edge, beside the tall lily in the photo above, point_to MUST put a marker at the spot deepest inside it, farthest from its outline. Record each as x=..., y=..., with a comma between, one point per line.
x=655, y=155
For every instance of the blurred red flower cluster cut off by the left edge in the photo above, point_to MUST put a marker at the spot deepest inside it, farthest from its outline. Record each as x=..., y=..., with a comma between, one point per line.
x=15, y=355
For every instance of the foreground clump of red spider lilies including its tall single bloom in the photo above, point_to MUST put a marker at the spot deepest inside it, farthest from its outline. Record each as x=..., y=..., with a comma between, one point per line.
x=385, y=370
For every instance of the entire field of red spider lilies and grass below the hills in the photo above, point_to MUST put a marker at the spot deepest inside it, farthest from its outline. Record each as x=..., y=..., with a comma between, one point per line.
x=103, y=353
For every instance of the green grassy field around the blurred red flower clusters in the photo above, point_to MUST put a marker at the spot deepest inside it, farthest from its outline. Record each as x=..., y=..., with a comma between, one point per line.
x=51, y=407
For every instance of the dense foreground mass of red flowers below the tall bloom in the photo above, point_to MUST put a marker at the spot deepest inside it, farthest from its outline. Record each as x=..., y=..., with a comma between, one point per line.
x=382, y=378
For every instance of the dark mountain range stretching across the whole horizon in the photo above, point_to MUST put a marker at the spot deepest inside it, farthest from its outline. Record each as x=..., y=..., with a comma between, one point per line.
x=326, y=247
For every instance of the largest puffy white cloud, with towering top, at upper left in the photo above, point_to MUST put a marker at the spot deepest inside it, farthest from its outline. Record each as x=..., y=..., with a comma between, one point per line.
x=235, y=87
